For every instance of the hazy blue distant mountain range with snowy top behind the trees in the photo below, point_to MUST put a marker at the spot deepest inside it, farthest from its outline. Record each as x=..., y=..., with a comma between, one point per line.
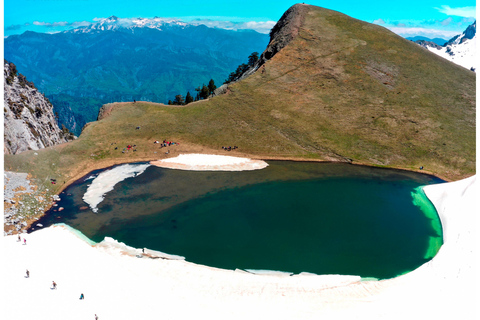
x=127, y=59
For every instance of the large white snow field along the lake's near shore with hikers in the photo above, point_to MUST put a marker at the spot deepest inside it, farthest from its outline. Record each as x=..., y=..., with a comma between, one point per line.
x=118, y=285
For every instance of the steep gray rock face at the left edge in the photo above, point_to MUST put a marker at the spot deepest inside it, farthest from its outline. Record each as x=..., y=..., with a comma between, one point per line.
x=29, y=121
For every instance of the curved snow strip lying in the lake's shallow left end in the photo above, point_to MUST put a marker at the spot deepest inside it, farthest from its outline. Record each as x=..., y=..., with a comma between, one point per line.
x=106, y=181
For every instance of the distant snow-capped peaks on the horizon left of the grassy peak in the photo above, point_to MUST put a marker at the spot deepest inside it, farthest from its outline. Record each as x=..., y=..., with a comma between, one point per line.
x=114, y=23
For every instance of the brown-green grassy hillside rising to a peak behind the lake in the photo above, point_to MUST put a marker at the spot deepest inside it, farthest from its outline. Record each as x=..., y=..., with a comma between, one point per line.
x=342, y=90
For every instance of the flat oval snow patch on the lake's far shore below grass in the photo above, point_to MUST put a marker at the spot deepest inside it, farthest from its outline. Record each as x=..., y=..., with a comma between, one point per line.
x=210, y=162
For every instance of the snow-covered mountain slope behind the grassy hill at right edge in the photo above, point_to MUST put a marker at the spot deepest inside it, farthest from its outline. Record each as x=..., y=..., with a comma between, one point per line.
x=461, y=49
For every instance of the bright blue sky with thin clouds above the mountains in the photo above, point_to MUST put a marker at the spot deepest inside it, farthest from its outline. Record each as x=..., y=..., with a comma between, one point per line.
x=441, y=18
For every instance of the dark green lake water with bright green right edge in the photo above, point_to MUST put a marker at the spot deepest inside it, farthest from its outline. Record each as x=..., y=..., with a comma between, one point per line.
x=294, y=217
